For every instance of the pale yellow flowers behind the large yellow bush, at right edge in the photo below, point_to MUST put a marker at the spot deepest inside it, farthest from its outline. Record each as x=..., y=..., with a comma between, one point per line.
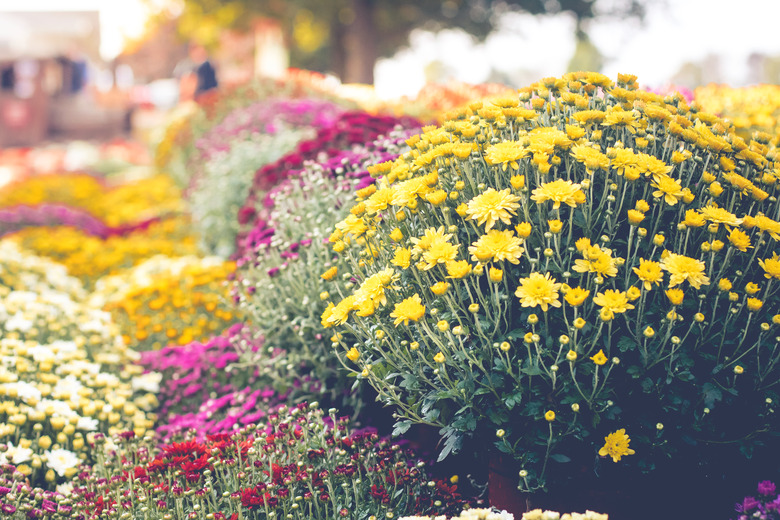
x=750, y=109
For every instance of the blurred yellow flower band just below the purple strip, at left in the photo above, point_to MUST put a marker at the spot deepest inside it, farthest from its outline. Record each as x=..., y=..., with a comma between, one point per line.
x=90, y=258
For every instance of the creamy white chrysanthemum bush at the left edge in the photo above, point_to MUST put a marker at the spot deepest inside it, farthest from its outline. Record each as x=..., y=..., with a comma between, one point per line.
x=66, y=373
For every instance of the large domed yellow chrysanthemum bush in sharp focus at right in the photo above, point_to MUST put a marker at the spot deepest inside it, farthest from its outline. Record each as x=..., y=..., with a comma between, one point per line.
x=566, y=271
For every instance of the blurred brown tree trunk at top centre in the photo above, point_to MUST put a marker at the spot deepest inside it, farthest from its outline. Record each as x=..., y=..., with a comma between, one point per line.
x=360, y=49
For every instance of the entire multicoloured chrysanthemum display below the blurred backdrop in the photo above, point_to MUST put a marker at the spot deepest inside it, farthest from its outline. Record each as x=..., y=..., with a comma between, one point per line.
x=484, y=303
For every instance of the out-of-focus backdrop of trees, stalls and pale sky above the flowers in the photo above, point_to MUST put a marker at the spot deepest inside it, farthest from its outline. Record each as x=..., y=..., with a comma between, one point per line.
x=94, y=69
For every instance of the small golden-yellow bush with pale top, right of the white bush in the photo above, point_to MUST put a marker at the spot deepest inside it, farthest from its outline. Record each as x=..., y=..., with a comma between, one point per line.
x=169, y=301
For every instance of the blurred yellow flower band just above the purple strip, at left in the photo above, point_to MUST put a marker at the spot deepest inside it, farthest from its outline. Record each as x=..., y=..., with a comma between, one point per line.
x=131, y=202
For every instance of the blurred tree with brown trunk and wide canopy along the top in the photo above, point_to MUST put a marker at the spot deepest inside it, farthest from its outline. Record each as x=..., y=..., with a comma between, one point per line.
x=348, y=36
